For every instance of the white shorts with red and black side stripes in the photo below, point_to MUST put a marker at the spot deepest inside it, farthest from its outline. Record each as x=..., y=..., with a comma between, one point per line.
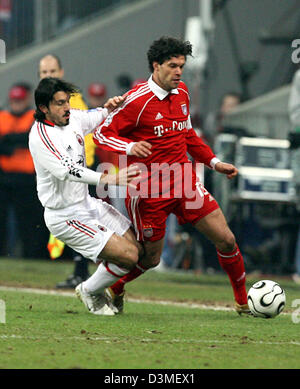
x=87, y=226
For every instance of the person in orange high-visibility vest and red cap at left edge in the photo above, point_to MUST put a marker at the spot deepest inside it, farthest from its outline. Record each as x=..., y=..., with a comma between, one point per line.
x=17, y=177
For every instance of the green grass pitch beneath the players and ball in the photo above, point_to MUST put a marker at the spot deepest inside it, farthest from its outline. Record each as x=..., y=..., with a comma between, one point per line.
x=57, y=332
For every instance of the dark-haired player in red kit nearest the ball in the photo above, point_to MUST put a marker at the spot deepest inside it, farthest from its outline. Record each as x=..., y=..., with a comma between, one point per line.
x=153, y=126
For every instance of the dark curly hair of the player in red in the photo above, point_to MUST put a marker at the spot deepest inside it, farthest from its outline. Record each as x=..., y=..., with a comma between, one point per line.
x=165, y=48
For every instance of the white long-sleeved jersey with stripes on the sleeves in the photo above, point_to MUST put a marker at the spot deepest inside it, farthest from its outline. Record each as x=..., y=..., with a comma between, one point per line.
x=59, y=158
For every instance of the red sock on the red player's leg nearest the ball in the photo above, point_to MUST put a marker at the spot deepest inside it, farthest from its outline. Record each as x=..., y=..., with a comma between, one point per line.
x=233, y=264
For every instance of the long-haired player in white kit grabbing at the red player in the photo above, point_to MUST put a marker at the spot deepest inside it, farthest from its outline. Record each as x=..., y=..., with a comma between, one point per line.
x=88, y=225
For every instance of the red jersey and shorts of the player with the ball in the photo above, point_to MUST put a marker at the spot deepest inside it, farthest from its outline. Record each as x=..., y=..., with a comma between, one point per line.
x=161, y=118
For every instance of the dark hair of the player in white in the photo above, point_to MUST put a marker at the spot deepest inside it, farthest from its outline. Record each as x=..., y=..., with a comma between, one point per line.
x=45, y=91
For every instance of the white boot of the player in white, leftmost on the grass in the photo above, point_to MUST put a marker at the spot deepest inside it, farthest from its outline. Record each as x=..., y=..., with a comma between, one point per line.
x=95, y=303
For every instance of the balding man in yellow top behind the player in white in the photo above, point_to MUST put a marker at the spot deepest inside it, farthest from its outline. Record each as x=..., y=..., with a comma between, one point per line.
x=50, y=66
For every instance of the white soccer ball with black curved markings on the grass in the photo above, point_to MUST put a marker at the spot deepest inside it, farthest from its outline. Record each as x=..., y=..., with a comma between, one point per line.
x=266, y=299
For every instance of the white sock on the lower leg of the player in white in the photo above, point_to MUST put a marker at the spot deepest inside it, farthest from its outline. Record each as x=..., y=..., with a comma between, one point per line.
x=106, y=274
